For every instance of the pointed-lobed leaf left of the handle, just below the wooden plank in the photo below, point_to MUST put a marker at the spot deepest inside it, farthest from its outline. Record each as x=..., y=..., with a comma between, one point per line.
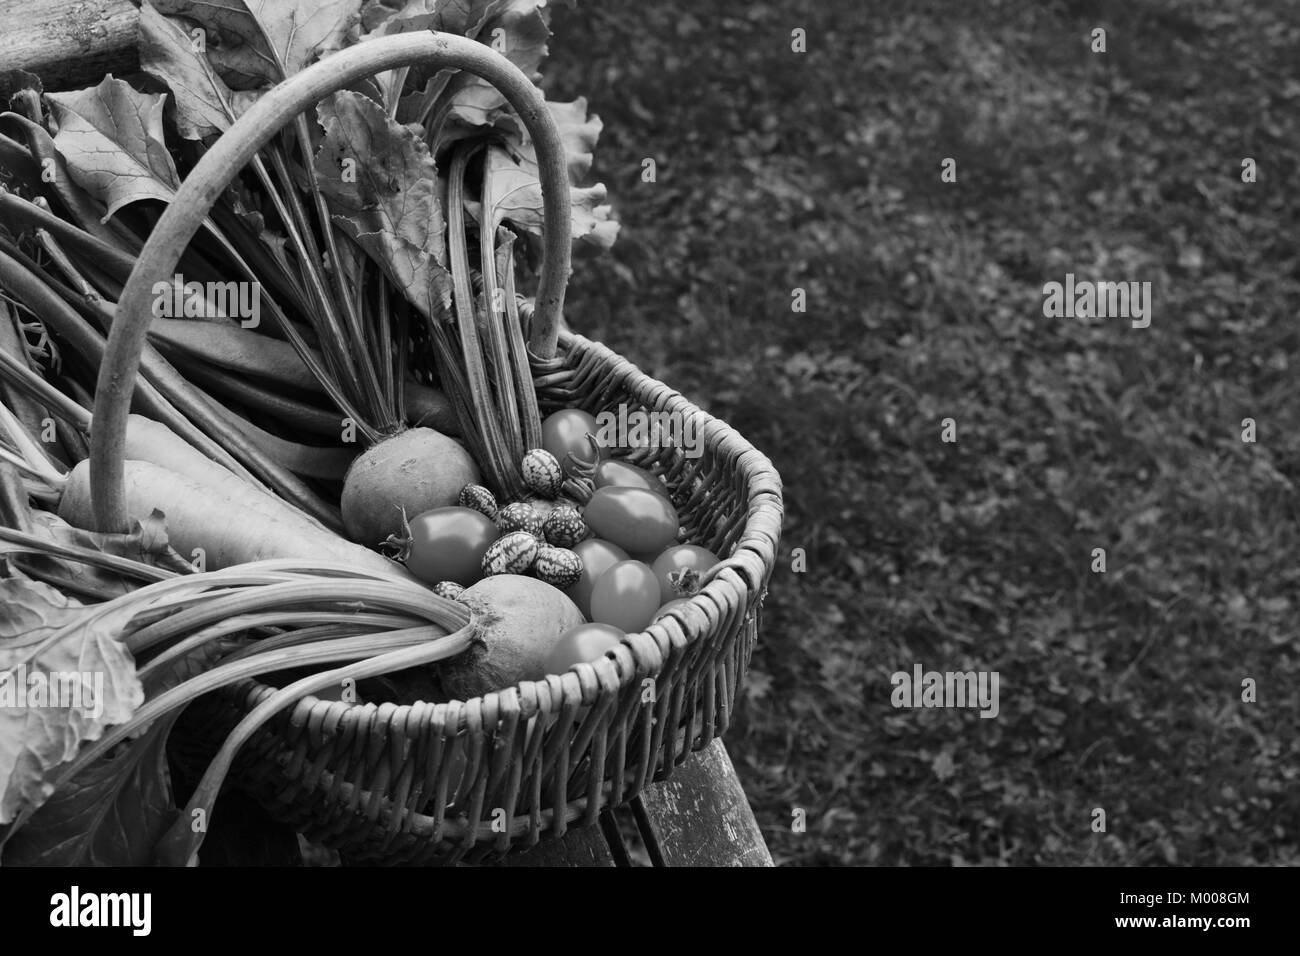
x=111, y=137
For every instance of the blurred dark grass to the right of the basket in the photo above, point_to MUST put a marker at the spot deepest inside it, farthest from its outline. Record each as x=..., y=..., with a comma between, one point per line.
x=821, y=171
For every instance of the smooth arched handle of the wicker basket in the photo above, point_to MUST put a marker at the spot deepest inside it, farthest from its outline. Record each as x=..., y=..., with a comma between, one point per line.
x=237, y=148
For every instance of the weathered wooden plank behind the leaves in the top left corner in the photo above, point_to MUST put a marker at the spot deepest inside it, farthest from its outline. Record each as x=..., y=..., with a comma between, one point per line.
x=70, y=44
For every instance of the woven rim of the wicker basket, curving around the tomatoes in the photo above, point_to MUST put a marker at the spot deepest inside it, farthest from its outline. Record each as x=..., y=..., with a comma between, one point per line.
x=651, y=647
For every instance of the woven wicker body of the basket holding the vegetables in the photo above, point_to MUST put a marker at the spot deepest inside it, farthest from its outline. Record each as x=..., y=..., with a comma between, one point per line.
x=441, y=782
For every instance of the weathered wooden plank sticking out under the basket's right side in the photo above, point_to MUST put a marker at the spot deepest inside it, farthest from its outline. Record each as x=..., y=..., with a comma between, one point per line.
x=701, y=817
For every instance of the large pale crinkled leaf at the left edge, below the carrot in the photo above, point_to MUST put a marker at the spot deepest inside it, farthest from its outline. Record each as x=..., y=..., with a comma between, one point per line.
x=68, y=695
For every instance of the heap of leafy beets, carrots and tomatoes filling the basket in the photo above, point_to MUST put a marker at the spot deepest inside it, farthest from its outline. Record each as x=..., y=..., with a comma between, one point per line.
x=335, y=473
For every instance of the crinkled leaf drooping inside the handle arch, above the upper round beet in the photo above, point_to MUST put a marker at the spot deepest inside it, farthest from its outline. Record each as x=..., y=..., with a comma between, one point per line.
x=383, y=185
